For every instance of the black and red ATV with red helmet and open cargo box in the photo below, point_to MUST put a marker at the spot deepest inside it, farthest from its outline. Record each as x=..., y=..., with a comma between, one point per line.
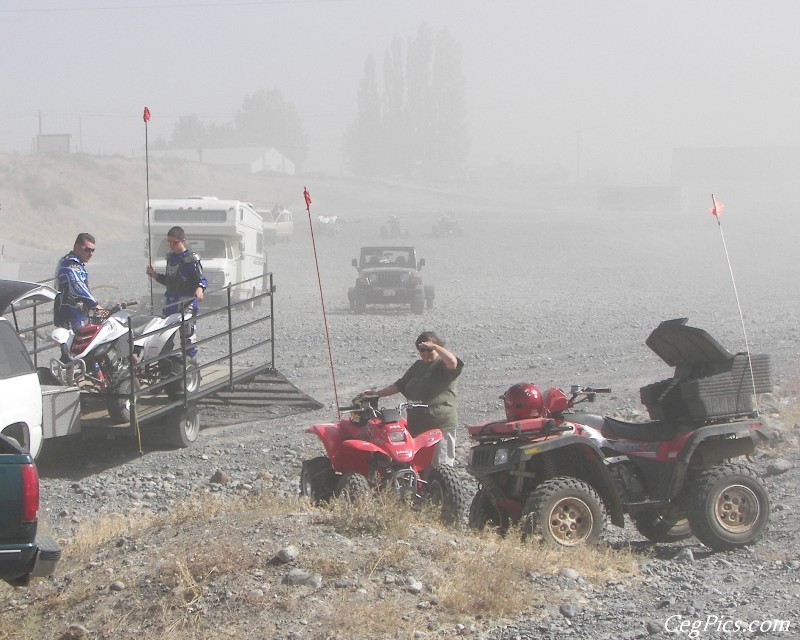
x=562, y=473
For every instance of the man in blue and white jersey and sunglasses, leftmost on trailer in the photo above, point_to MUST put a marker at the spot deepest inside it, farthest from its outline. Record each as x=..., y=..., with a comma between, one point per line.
x=71, y=308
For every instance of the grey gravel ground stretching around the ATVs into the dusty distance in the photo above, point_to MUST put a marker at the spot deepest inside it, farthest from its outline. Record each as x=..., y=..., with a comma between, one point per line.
x=552, y=298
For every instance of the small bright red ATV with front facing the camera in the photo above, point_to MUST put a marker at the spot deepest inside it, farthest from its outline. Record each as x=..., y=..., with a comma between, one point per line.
x=372, y=449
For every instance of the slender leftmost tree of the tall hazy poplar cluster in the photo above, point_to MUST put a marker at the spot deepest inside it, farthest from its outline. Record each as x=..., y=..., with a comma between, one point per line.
x=363, y=146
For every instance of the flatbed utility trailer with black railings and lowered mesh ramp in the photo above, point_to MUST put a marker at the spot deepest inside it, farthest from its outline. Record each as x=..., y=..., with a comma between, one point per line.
x=236, y=369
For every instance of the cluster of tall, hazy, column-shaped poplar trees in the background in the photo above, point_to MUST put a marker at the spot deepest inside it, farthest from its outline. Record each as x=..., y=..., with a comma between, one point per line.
x=423, y=130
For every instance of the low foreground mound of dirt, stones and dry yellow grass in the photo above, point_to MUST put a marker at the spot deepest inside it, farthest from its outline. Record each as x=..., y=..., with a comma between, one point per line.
x=208, y=570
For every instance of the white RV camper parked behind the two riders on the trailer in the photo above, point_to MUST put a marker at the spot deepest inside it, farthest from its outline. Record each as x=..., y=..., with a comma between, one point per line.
x=227, y=235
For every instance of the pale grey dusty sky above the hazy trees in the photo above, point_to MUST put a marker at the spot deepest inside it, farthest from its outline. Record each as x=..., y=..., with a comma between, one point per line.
x=591, y=85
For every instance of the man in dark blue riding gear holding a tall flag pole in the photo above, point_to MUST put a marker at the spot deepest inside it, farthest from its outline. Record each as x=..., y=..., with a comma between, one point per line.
x=184, y=280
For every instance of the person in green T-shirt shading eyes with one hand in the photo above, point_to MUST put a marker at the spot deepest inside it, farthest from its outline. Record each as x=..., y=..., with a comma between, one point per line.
x=431, y=380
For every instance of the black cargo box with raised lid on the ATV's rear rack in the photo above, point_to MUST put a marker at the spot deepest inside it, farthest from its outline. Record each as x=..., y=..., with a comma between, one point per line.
x=709, y=383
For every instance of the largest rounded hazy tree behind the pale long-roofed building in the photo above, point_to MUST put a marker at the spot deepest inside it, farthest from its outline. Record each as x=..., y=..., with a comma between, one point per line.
x=267, y=119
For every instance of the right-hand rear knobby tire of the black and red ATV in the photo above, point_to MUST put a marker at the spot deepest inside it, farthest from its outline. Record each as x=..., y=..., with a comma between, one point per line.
x=732, y=507
